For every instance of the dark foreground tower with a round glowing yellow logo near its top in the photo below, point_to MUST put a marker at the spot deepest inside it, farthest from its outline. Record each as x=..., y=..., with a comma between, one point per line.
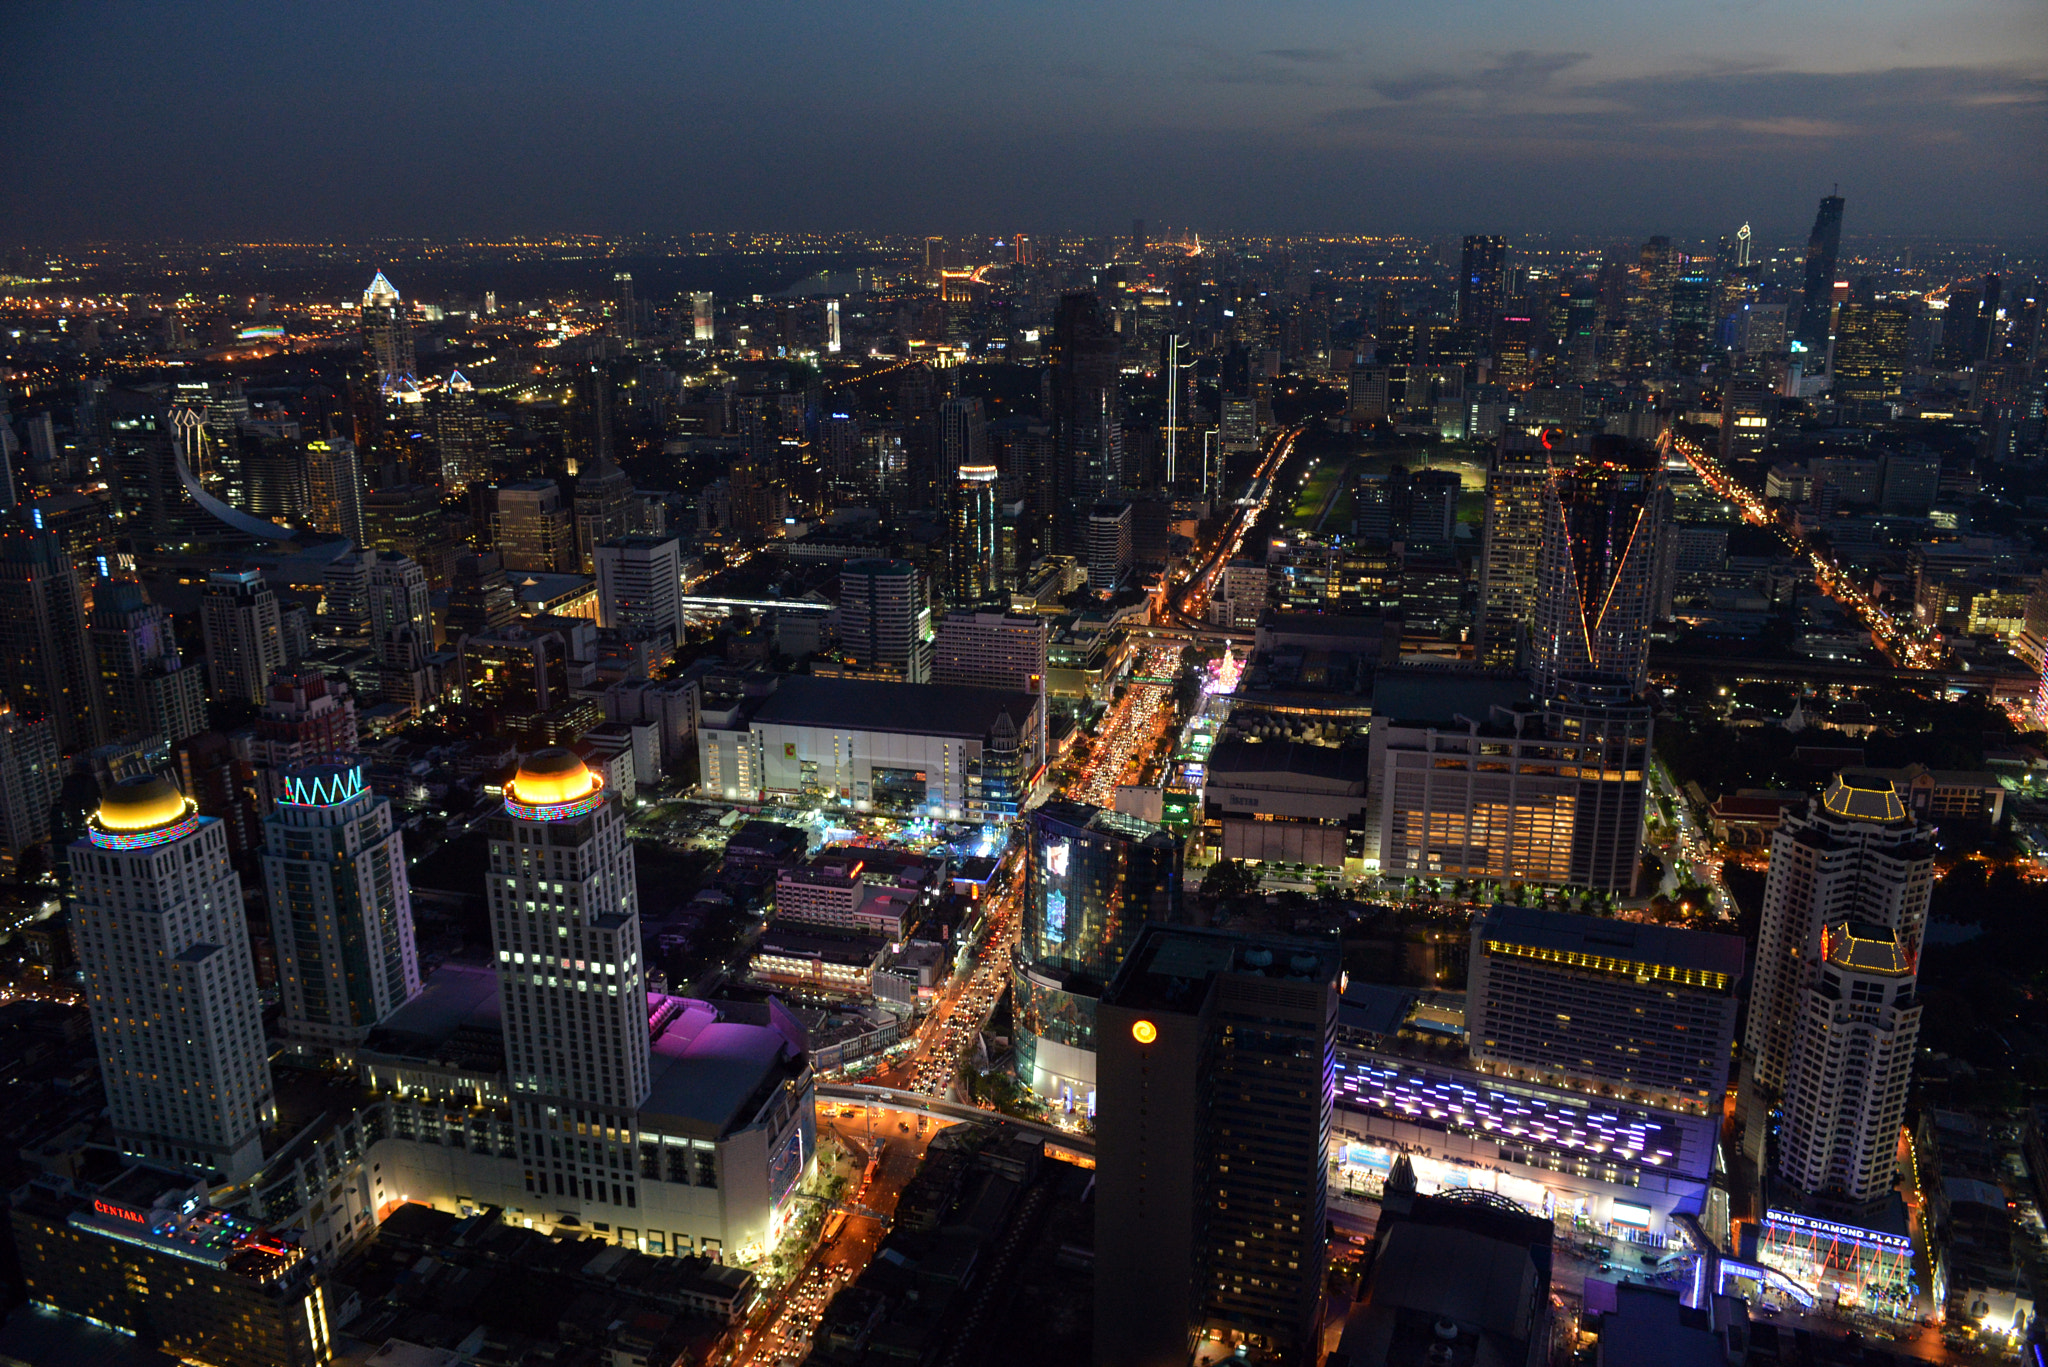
x=1213, y=1147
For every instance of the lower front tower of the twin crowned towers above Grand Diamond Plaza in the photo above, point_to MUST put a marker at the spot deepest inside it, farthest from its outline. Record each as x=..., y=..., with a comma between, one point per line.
x=1850, y=1069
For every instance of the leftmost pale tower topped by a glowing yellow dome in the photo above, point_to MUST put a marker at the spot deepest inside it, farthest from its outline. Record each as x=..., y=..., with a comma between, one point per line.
x=171, y=983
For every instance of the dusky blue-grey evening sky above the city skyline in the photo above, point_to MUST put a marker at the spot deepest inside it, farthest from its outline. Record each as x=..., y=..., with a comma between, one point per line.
x=339, y=122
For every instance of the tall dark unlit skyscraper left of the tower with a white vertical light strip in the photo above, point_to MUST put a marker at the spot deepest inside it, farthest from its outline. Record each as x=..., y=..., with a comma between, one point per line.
x=1089, y=419
